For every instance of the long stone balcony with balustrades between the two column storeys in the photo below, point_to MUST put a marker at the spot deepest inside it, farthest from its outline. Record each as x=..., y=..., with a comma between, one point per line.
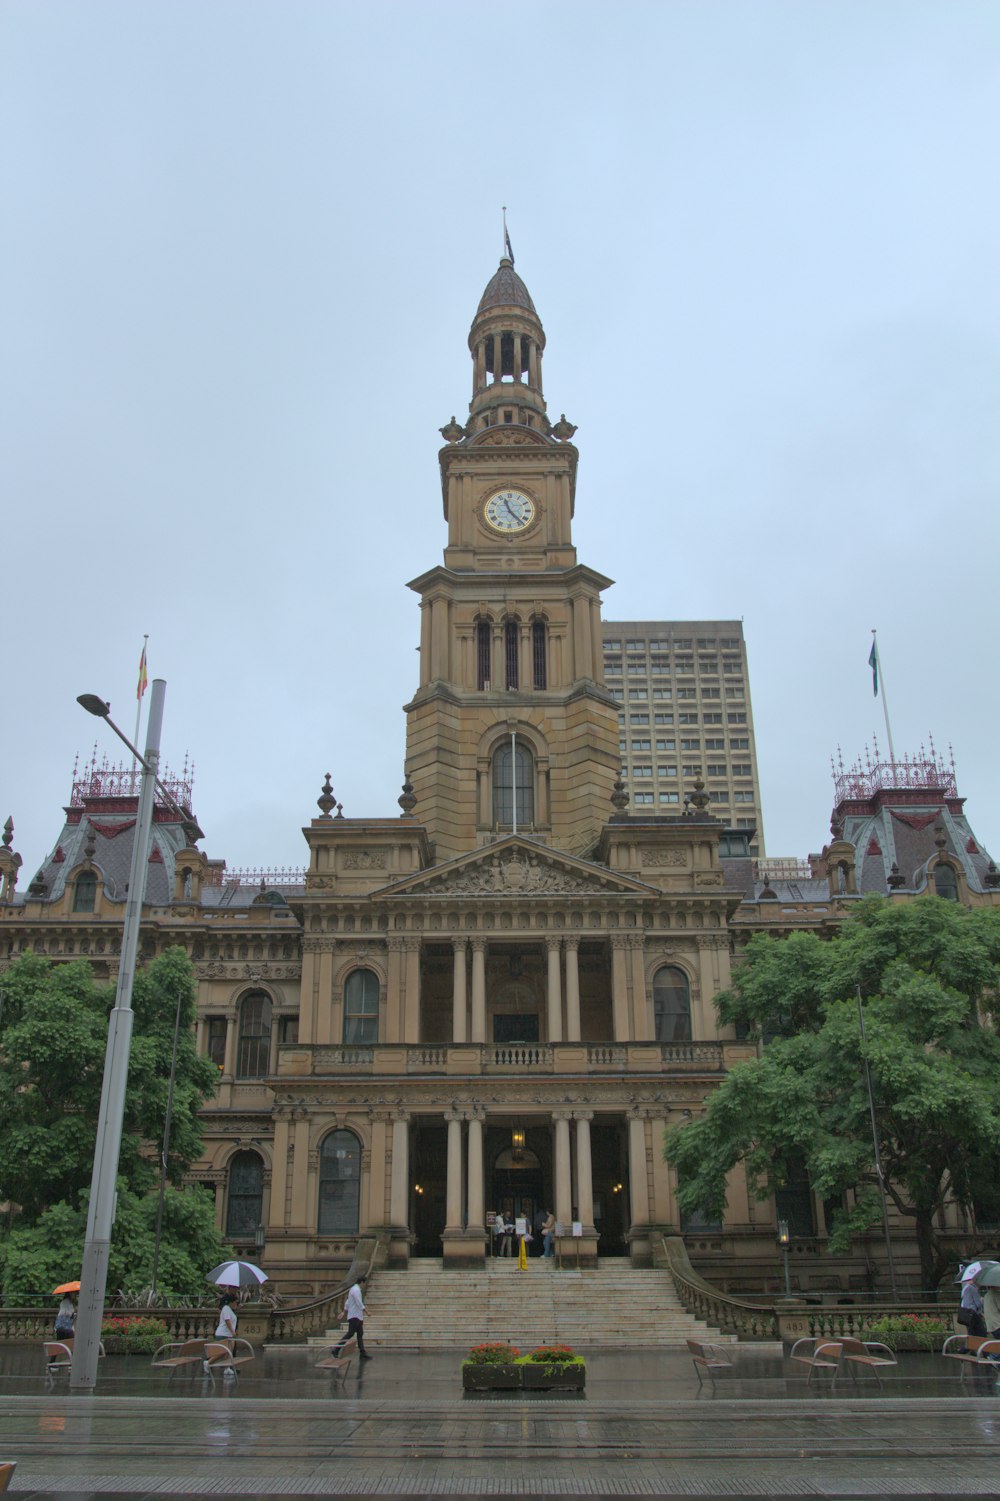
x=607, y=1059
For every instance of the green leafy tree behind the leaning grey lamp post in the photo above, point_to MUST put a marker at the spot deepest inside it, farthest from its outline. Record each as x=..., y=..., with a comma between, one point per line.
x=52, y=1069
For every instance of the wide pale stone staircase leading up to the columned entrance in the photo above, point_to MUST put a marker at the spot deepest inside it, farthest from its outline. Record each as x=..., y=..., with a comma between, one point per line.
x=613, y=1305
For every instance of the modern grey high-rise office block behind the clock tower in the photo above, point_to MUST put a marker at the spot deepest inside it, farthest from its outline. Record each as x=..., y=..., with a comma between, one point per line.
x=685, y=712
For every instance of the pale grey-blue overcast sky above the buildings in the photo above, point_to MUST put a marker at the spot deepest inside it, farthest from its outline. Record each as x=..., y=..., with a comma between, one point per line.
x=241, y=247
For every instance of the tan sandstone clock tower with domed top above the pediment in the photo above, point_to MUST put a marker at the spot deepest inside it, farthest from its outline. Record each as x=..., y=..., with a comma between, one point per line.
x=511, y=729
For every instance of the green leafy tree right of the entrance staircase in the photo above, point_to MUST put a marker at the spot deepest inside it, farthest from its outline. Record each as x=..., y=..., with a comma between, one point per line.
x=930, y=979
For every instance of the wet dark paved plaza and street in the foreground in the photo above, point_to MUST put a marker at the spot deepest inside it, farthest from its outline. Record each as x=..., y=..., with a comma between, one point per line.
x=402, y=1427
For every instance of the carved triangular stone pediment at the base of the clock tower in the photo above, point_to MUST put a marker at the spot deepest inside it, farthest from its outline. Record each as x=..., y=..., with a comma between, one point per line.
x=519, y=868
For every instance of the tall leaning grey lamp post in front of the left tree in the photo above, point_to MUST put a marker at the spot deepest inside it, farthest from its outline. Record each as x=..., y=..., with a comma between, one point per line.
x=94, y=1277
